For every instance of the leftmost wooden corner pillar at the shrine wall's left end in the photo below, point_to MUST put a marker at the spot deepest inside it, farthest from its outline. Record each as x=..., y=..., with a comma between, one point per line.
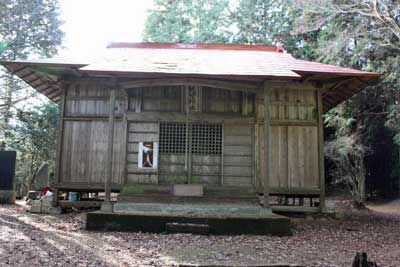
x=59, y=145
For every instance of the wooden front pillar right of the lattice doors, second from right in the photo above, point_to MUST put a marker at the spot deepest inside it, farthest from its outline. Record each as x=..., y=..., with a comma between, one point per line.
x=266, y=146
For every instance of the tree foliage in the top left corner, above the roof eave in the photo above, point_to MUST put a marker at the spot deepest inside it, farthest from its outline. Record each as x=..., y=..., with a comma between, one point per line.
x=29, y=27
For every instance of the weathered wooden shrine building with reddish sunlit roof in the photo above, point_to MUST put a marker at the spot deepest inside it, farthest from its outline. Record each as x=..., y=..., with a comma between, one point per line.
x=193, y=120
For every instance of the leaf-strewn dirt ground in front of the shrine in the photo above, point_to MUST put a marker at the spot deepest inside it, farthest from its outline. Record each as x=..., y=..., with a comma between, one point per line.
x=46, y=240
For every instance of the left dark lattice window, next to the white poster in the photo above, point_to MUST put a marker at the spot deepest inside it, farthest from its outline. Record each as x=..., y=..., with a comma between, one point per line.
x=172, y=138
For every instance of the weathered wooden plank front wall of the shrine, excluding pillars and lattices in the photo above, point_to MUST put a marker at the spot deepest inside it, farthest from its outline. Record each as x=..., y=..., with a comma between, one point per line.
x=294, y=151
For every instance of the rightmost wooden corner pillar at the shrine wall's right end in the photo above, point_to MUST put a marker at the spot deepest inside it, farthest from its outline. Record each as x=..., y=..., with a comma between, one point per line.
x=321, y=151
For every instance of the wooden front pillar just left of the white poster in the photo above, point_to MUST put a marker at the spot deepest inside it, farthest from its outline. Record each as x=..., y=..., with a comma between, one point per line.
x=110, y=149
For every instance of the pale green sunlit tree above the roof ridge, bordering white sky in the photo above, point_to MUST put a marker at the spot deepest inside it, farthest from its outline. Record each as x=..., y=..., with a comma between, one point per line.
x=188, y=21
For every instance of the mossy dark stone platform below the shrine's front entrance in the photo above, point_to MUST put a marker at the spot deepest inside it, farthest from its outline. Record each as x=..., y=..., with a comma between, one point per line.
x=219, y=219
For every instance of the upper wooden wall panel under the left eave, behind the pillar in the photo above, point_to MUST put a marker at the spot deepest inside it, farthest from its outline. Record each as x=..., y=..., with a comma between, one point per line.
x=91, y=98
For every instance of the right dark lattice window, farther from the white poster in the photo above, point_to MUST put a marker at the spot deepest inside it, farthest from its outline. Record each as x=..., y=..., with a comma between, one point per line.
x=206, y=139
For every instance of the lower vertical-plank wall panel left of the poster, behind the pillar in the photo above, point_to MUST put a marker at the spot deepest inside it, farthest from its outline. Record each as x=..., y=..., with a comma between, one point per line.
x=84, y=152
